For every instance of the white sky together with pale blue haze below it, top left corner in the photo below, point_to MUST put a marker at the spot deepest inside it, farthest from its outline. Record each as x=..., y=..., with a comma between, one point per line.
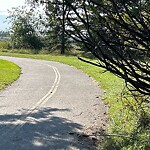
x=7, y=5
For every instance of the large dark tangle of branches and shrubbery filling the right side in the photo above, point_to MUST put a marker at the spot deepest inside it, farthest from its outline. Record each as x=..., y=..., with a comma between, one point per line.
x=117, y=33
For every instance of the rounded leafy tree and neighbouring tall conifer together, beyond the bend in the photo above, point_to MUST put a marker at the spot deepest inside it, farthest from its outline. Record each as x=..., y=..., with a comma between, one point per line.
x=32, y=29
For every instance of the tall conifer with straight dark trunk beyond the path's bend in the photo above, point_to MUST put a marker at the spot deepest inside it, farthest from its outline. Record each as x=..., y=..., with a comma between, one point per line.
x=55, y=11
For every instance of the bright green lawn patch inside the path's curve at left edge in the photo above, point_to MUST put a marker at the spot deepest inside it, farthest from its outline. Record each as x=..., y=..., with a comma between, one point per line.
x=9, y=72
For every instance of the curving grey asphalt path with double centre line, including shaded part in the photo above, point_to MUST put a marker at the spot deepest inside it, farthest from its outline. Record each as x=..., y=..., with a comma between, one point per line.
x=49, y=107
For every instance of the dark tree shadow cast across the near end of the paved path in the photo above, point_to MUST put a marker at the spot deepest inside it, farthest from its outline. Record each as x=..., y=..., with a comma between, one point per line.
x=40, y=129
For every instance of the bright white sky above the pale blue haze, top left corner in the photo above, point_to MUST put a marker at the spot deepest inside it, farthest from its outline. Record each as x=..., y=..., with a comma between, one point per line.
x=8, y=4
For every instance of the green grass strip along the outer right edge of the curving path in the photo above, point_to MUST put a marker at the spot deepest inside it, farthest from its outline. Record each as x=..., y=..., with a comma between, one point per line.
x=112, y=85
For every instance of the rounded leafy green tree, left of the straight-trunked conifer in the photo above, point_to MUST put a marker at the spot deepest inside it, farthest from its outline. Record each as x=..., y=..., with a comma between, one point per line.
x=23, y=29
